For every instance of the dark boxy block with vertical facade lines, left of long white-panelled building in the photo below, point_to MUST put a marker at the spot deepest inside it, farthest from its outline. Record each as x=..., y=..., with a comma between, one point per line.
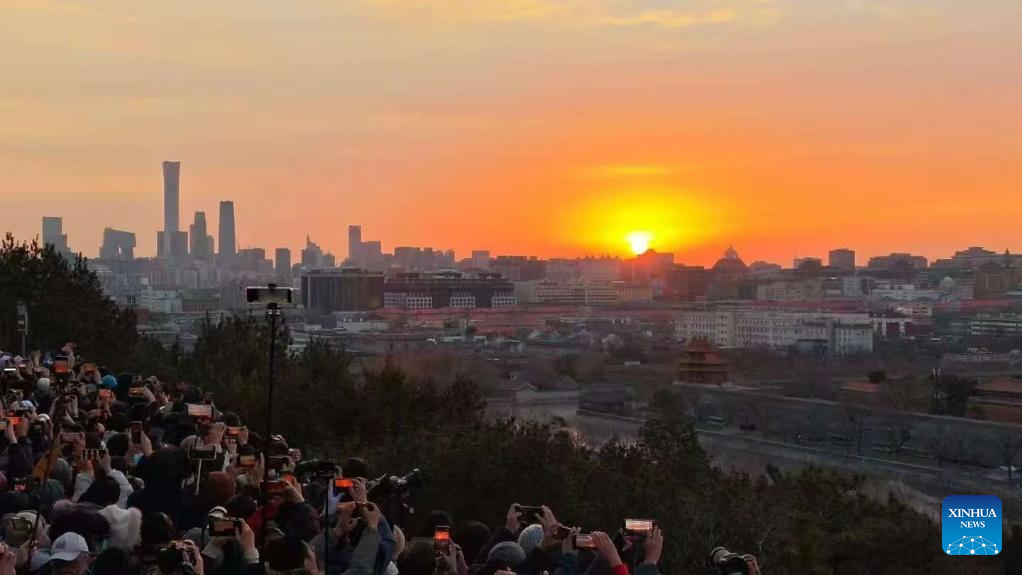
x=342, y=291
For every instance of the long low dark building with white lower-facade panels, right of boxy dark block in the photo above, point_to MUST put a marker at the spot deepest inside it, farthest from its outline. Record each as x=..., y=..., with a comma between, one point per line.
x=448, y=290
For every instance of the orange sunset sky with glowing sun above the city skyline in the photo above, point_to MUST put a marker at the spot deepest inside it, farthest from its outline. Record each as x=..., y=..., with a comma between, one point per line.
x=784, y=127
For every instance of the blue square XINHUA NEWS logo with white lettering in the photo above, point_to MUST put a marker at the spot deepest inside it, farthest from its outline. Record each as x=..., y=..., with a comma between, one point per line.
x=971, y=525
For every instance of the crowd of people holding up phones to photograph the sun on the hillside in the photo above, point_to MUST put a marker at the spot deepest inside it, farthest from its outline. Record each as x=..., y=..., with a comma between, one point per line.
x=114, y=474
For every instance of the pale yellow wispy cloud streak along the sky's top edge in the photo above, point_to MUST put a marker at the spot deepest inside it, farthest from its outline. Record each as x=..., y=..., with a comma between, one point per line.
x=580, y=14
